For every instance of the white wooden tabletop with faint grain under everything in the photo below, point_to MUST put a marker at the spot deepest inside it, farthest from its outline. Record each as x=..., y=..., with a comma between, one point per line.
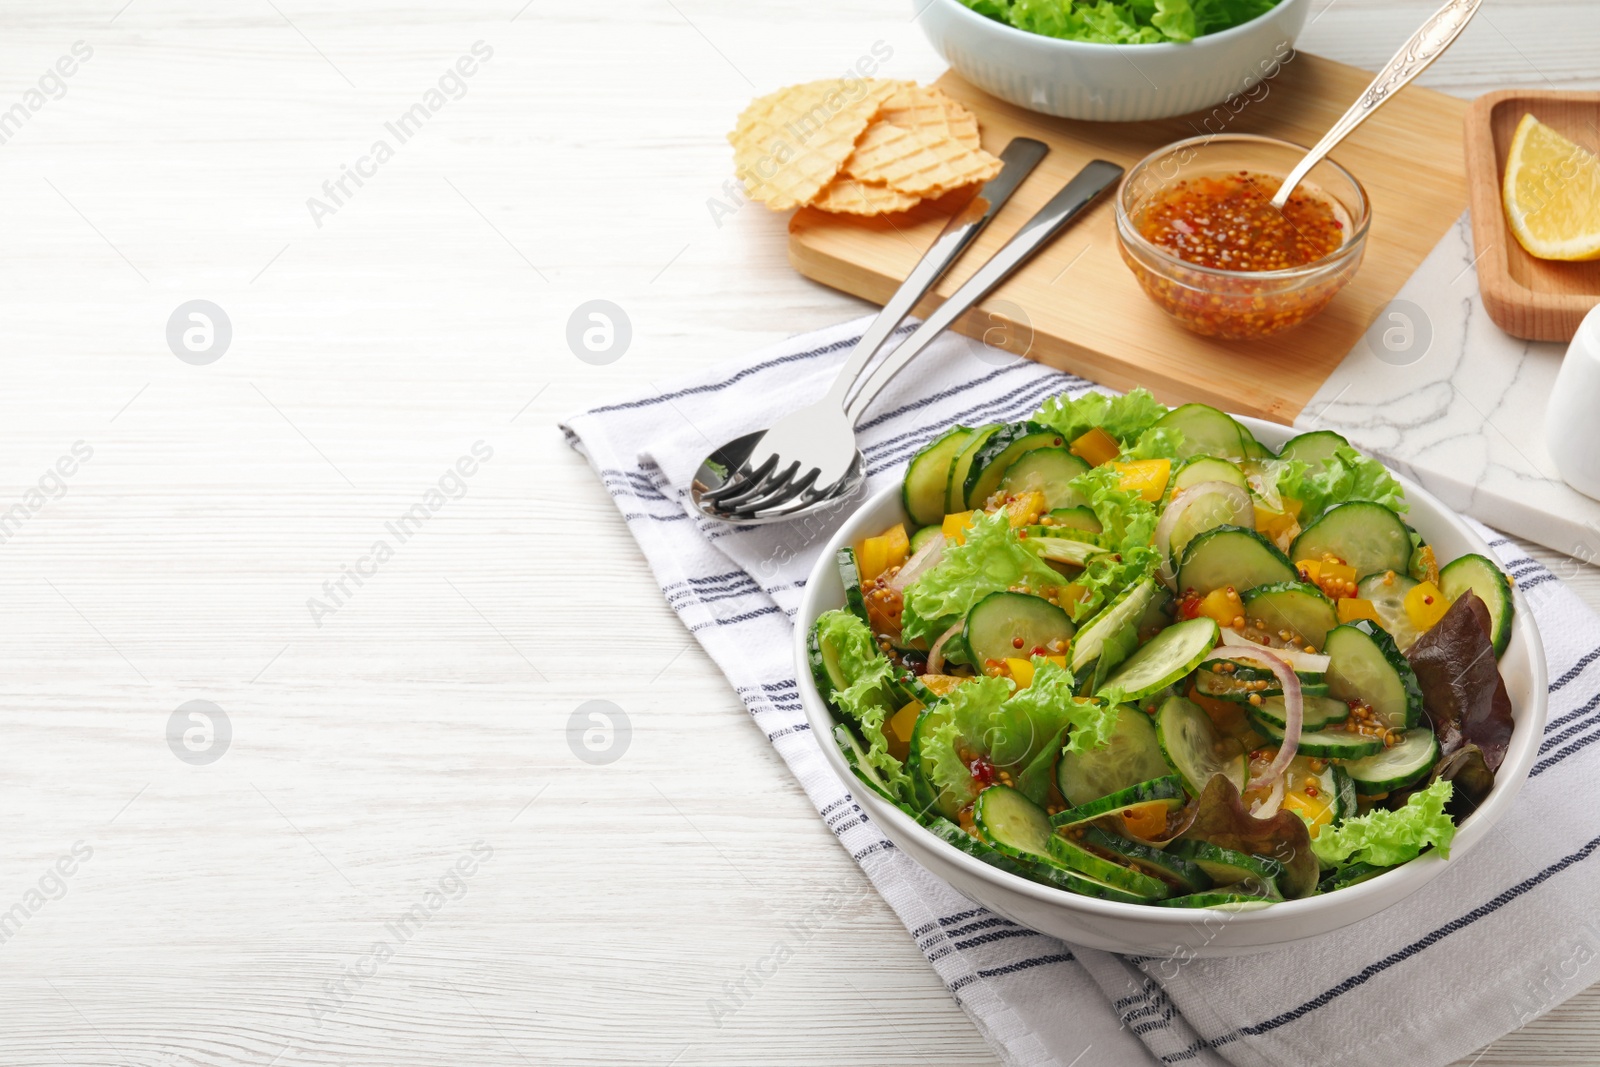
x=254, y=909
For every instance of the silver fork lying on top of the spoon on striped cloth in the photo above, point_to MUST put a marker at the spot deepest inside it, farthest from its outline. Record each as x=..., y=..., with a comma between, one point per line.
x=818, y=444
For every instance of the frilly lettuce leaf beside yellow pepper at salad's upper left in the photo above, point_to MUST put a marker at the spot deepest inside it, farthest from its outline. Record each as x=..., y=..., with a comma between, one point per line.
x=993, y=561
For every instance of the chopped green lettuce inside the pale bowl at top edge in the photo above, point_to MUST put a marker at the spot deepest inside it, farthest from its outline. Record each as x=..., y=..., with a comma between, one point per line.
x=1124, y=22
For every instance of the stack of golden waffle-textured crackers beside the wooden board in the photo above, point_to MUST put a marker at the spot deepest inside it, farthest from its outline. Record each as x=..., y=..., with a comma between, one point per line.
x=857, y=146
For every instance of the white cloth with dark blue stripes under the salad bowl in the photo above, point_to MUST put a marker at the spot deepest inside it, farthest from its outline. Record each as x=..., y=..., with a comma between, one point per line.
x=1484, y=949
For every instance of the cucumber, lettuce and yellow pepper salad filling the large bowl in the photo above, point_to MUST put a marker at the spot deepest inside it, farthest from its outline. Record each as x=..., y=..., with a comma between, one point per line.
x=1132, y=653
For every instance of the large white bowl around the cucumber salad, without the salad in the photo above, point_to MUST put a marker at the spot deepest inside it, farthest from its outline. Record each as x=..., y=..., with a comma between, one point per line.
x=1158, y=932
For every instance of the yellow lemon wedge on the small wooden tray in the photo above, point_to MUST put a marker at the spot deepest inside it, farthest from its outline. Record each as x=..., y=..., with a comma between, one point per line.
x=1553, y=194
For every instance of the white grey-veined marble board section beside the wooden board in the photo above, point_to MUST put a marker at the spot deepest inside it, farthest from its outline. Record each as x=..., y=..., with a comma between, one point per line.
x=1442, y=393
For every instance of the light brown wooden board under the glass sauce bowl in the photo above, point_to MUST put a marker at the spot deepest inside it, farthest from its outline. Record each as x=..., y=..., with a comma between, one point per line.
x=1079, y=308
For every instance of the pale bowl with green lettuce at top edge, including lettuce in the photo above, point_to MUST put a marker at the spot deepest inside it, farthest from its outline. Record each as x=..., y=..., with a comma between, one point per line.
x=1119, y=60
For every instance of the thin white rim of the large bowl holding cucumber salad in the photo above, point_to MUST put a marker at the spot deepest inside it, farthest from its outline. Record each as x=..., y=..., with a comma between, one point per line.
x=1414, y=874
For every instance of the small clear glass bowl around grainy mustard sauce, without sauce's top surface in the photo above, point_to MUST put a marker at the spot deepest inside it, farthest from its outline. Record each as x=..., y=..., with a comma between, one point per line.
x=1238, y=305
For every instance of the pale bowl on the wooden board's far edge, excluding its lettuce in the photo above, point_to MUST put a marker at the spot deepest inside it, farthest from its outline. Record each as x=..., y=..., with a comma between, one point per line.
x=1111, y=82
